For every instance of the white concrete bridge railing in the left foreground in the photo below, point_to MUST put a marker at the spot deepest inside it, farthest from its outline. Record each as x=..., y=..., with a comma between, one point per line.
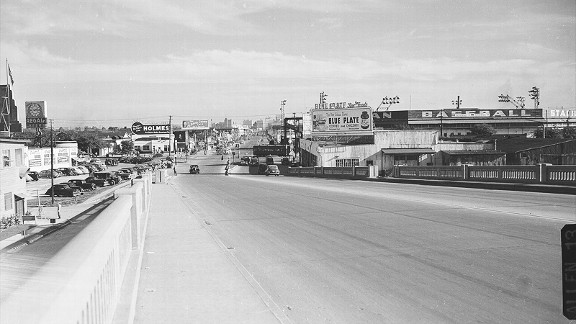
x=82, y=283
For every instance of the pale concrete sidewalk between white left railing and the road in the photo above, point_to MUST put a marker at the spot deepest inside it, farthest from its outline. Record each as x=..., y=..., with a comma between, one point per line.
x=187, y=276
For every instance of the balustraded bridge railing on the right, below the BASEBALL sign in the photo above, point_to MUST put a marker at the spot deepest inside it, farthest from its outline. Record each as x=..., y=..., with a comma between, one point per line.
x=541, y=174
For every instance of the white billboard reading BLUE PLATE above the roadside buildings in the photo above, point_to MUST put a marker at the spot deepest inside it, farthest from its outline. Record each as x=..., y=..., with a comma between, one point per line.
x=348, y=121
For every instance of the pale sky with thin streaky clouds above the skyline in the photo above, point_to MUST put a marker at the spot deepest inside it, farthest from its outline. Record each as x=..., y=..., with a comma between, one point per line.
x=110, y=62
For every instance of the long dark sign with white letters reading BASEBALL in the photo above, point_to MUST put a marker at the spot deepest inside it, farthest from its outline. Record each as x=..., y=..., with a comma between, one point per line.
x=474, y=113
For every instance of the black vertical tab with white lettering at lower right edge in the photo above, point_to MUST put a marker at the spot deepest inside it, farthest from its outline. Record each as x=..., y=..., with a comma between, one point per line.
x=568, y=242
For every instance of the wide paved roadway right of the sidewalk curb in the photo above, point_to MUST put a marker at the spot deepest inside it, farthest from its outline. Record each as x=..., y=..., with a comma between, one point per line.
x=360, y=252
